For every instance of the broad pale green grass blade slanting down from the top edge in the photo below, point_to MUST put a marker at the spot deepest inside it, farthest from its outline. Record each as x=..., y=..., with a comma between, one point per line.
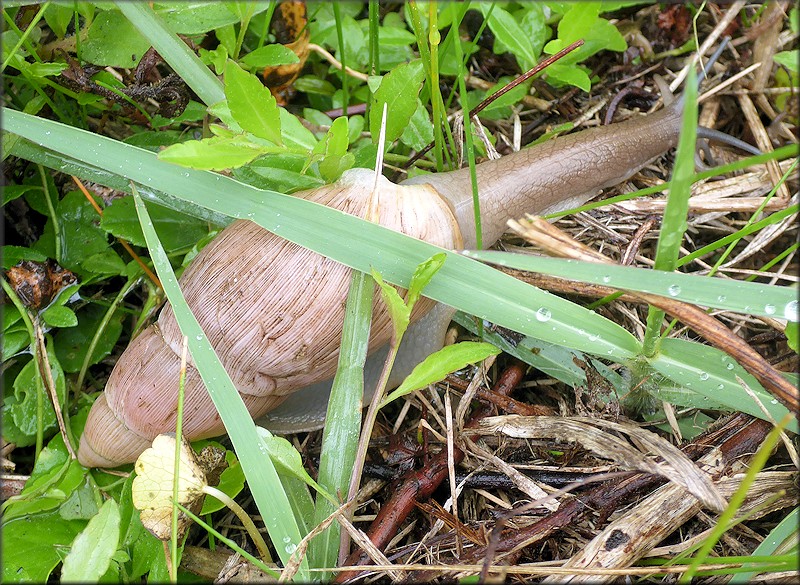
x=174, y=51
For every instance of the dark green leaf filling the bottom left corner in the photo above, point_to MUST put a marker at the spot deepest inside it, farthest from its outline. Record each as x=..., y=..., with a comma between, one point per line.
x=32, y=545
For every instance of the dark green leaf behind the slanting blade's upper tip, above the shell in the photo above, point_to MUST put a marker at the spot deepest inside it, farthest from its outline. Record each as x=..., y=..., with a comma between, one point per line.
x=175, y=230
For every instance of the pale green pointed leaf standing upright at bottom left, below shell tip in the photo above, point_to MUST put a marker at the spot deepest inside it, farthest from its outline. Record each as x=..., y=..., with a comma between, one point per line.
x=92, y=549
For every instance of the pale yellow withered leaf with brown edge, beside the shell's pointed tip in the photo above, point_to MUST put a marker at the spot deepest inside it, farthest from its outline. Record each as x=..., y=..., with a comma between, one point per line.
x=152, y=487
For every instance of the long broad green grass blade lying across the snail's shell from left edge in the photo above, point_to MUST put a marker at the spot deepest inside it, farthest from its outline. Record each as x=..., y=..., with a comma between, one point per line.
x=462, y=283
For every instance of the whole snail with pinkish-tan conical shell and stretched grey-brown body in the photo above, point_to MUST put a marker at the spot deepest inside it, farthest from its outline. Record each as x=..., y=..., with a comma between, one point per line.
x=273, y=310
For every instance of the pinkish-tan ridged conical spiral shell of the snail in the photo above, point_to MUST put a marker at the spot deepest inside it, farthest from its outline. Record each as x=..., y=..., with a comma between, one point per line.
x=271, y=309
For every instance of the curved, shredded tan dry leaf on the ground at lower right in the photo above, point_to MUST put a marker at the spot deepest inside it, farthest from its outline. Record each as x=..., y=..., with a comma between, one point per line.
x=596, y=436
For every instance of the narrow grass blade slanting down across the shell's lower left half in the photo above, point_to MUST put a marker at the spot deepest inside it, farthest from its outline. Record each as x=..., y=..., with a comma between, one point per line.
x=262, y=477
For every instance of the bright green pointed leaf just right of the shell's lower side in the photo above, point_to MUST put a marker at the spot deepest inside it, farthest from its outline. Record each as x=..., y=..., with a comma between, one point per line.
x=438, y=365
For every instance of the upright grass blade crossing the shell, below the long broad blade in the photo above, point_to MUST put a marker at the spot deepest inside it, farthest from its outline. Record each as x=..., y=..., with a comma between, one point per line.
x=343, y=420
